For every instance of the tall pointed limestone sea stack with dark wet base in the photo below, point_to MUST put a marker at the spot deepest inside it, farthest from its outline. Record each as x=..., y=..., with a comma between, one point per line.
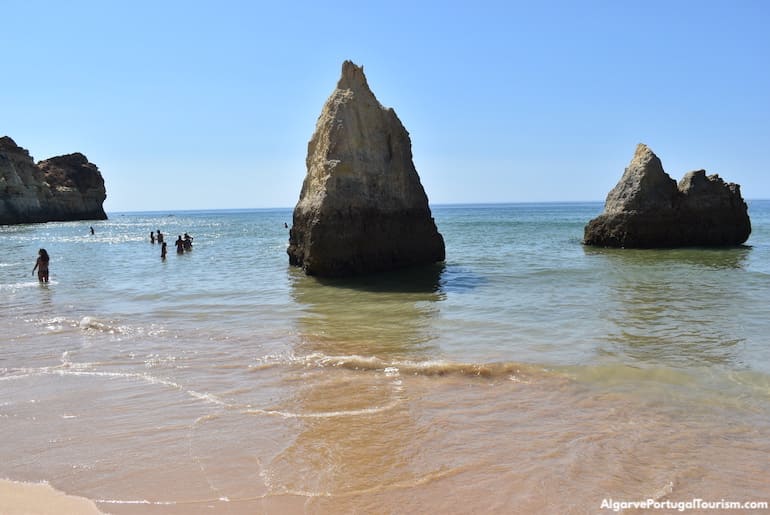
x=362, y=207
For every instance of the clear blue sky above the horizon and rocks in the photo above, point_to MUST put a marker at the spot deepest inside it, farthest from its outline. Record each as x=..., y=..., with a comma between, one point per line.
x=204, y=105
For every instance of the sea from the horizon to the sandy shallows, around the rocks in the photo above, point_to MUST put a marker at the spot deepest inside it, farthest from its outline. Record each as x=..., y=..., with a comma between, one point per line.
x=526, y=374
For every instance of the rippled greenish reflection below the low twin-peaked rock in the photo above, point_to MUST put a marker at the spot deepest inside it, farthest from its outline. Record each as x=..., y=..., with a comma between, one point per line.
x=675, y=307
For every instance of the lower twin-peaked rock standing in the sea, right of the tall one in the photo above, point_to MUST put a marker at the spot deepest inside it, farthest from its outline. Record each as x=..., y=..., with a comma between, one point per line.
x=648, y=209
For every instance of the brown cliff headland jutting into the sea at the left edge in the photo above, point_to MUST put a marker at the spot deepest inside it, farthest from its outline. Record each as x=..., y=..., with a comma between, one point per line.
x=57, y=189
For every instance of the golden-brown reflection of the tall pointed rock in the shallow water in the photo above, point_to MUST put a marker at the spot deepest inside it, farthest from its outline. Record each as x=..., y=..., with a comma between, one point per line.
x=357, y=432
